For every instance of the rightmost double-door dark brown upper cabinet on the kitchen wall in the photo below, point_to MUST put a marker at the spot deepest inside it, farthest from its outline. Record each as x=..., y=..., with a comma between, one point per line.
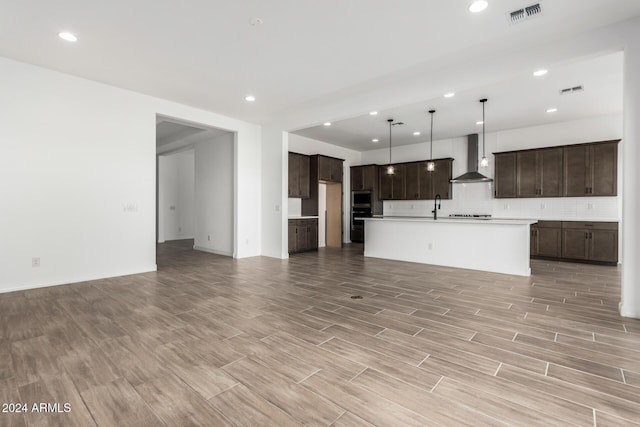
x=591, y=169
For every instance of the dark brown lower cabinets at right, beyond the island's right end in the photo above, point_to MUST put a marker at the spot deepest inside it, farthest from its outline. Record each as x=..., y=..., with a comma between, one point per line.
x=595, y=242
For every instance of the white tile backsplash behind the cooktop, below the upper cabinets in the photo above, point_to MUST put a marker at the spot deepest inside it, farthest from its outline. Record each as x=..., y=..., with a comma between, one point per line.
x=477, y=198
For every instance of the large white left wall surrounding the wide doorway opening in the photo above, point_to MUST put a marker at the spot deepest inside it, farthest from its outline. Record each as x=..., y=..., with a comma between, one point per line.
x=78, y=177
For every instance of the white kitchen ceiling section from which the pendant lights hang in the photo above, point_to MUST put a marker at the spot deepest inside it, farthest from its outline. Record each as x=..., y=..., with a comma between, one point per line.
x=521, y=101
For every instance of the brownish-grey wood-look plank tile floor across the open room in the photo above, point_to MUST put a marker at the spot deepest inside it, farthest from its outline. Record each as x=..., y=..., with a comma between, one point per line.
x=208, y=340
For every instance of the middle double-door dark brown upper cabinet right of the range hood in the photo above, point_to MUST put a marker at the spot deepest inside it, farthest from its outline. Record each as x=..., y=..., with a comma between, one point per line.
x=539, y=172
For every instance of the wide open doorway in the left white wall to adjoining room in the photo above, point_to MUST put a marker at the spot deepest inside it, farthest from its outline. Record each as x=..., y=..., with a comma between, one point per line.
x=195, y=186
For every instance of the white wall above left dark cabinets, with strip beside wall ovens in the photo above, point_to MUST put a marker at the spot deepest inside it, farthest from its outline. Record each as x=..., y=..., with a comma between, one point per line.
x=303, y=145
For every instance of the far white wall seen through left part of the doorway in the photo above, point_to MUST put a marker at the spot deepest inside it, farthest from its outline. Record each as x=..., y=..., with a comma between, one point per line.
x=176, y=196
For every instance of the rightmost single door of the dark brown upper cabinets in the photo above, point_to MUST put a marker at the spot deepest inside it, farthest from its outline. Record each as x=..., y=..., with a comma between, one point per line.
x=603, y=172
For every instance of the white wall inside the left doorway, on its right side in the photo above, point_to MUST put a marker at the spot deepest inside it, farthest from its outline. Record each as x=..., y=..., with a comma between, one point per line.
x=214, y=195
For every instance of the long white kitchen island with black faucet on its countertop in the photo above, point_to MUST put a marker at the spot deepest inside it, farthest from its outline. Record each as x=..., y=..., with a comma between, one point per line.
x=495, y=245
